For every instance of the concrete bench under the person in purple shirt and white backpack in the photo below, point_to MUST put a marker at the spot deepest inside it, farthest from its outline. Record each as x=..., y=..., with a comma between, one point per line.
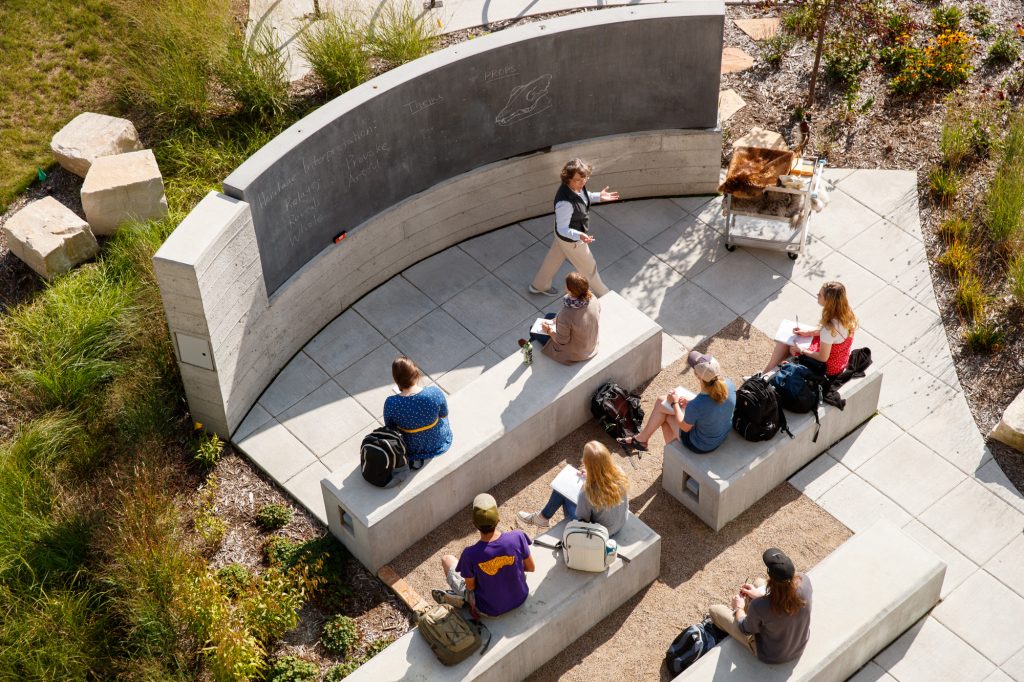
x=563, y=606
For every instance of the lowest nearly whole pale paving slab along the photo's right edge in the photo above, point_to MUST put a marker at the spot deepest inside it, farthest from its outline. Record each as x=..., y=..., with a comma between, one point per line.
x=984, y=600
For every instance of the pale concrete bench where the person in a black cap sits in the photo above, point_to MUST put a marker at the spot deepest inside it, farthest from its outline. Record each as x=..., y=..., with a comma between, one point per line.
x=867, y=593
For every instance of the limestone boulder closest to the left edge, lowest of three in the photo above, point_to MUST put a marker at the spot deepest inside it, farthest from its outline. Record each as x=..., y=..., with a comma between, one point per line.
x=50, y=238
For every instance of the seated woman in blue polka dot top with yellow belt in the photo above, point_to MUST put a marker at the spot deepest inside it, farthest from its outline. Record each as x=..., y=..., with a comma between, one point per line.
x=421, y=414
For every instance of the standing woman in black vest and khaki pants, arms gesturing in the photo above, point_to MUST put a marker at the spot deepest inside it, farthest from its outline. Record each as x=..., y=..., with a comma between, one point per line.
x=572, y=231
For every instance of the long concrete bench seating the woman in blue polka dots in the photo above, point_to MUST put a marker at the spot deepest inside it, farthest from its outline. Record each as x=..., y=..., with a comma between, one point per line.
x=501, y=421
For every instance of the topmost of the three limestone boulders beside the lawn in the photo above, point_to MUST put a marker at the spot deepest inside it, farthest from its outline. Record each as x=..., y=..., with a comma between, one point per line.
x=90, y=137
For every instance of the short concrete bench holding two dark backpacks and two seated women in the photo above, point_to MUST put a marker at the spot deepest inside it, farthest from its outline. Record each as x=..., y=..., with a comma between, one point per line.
x=720, y=486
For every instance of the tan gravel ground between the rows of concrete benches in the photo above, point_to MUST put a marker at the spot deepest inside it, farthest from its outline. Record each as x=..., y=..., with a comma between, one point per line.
x=699, y=567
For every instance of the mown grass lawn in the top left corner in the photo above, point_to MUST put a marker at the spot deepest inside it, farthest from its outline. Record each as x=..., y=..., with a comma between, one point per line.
x=55, y=60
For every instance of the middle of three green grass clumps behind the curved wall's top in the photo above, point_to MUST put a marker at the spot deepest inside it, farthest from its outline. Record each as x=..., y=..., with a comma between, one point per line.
x=336, y=50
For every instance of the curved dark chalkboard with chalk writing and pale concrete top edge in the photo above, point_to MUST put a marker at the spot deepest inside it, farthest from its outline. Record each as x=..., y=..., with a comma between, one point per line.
x=647, y=68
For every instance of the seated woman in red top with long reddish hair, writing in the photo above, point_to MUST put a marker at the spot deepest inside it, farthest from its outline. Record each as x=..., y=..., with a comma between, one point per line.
x=833, y=338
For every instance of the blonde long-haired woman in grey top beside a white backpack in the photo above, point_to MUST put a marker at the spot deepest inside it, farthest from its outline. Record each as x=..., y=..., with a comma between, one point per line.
x=605, y=498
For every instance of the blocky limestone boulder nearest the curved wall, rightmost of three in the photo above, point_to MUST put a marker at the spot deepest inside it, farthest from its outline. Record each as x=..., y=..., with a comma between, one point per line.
x=126, y=187
